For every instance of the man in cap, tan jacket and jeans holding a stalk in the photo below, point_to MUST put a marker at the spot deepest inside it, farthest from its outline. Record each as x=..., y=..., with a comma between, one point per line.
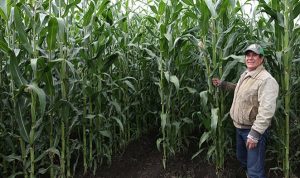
x=252, y=110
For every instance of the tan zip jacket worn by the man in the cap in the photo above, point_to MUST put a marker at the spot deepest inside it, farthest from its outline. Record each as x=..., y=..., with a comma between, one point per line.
x=254, y=101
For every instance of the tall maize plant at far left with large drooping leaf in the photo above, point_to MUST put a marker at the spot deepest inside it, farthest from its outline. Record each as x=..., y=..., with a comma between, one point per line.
x=24, y=93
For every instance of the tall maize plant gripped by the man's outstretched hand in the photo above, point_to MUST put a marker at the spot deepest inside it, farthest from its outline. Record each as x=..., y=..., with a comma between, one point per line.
x=217, y=41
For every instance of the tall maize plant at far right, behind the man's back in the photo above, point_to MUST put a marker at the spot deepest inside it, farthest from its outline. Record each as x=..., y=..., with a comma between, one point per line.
x=286, y=31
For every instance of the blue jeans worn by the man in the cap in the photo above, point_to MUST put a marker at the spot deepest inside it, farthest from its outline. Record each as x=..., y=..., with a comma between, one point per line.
x=251, y=160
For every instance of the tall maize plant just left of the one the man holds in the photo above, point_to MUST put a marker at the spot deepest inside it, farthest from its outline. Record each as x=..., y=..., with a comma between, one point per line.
x=173, y=41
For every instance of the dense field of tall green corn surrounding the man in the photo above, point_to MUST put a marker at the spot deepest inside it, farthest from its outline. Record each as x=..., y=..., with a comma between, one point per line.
x=80, y=79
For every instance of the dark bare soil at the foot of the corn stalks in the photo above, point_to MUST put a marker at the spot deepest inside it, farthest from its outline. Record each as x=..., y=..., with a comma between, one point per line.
x=141, y=159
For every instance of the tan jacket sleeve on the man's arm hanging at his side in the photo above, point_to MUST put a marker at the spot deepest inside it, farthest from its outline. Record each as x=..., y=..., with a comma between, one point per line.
x=267, y=95
